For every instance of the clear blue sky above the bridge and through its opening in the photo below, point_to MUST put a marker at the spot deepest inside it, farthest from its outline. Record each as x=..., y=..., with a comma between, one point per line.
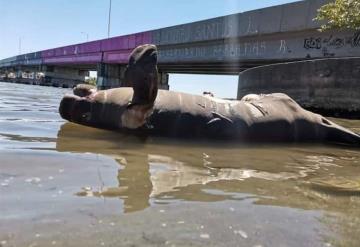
x=43, y=24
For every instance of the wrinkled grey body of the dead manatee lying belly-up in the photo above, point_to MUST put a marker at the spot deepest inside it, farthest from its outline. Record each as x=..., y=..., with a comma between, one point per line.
x=255, y=118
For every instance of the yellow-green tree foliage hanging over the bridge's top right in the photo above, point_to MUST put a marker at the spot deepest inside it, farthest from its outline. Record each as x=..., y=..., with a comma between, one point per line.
x=344, y=14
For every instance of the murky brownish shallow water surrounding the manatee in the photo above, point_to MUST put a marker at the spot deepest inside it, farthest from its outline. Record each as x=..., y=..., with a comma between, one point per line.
x=63, y=184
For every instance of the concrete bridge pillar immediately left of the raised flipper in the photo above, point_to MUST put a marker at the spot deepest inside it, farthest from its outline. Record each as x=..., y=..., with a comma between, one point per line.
x=110, y=75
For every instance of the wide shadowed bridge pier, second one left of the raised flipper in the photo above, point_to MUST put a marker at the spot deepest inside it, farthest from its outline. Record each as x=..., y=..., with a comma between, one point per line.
x=63, y=76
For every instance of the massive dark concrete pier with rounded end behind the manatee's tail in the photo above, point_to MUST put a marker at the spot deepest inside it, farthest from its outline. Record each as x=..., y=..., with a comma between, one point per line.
x=329, y=86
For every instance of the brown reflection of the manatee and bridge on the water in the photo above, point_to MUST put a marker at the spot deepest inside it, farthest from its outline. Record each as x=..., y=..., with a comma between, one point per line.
x=157, y=170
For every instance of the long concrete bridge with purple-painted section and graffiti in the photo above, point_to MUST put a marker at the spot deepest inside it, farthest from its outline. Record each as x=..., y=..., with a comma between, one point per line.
x=222, y=45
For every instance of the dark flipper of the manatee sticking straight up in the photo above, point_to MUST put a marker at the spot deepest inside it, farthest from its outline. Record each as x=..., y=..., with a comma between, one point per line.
x=142, y=74
